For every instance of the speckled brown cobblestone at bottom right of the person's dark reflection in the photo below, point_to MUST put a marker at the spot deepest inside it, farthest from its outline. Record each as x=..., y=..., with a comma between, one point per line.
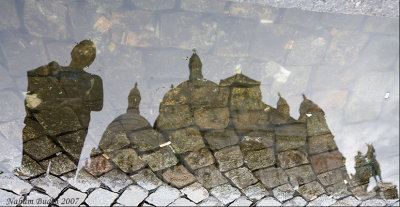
x=59, y=165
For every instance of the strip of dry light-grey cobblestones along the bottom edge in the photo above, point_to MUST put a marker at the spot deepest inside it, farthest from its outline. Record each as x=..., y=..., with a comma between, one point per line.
x=64, y=193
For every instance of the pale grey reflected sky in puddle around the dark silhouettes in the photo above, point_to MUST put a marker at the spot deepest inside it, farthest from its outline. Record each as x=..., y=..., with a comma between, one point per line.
x=347, y=64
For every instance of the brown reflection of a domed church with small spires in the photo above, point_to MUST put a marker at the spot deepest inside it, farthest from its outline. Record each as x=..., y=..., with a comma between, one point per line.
x=224, y=137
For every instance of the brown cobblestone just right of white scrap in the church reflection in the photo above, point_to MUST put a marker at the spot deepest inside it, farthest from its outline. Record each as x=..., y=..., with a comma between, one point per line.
x=188, y=139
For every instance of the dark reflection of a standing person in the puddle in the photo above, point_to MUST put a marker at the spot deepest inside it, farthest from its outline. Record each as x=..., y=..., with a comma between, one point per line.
x=58, y=105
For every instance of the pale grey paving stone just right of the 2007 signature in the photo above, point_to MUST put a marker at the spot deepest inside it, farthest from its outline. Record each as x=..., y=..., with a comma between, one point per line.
x=101, y=197
